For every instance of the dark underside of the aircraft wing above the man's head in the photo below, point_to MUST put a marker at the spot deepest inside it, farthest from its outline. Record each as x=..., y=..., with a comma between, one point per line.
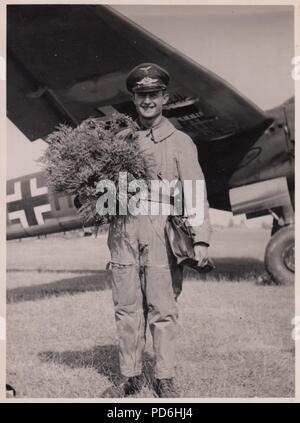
x=68, y=62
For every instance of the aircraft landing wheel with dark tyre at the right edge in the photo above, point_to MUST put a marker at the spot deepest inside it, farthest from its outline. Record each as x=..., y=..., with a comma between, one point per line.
x=280, y=256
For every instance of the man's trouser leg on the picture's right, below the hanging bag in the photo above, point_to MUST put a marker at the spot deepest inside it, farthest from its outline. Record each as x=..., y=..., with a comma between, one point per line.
x=159, y=294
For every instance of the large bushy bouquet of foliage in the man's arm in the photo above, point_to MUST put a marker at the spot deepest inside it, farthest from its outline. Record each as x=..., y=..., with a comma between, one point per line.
x=78, y=158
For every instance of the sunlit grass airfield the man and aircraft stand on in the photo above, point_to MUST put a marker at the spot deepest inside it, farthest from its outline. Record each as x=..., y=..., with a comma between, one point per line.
x=234, y=336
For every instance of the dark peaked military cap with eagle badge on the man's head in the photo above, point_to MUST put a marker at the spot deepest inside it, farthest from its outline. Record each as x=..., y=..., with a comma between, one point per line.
x=147, y=77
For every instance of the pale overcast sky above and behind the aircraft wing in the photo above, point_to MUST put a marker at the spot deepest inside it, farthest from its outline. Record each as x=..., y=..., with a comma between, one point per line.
x=251, y=47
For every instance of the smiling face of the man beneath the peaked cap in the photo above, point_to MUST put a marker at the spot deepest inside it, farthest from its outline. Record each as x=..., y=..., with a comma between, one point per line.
x=149, y=105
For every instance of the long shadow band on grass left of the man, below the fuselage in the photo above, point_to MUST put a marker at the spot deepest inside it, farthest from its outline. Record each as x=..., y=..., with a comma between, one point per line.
x=95, y=282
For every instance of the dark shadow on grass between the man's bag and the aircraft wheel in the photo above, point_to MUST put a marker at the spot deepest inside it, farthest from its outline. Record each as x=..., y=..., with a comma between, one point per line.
x=229, y=269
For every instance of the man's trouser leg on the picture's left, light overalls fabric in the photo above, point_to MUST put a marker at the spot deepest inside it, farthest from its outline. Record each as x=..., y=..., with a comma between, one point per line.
x=127, y=295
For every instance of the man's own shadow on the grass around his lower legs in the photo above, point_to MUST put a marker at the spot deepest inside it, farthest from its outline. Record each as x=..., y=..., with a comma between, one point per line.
x=104, y=359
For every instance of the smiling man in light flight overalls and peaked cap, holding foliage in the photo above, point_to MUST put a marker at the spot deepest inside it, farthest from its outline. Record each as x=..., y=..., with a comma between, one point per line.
x=146, y=278
